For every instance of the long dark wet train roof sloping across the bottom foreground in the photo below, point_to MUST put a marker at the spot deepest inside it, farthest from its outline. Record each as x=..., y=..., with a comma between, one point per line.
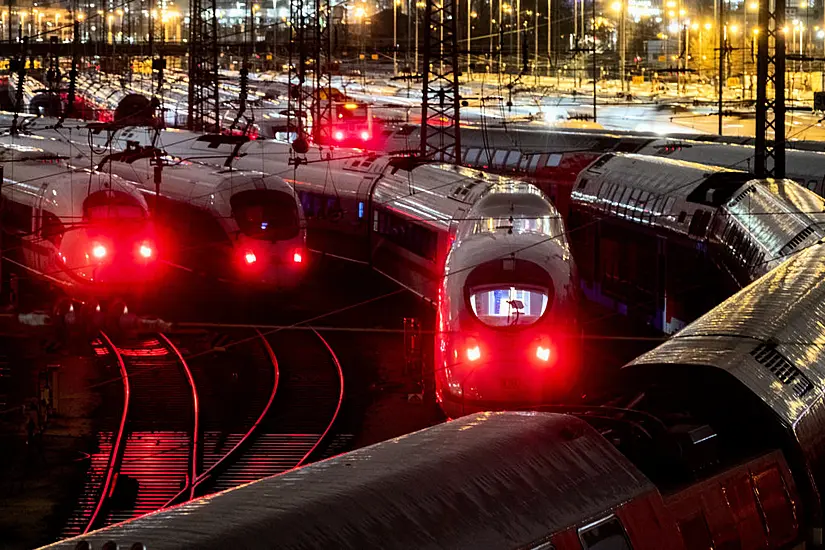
x=490, y=480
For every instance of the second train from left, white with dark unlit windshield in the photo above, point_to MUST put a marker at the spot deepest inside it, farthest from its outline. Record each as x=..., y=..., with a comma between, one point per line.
x=235, y=226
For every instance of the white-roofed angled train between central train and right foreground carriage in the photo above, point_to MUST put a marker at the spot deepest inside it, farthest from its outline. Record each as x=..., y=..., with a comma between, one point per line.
x=666, y=240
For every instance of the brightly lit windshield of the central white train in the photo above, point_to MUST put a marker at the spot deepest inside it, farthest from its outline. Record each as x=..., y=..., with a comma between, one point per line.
x=501, y=306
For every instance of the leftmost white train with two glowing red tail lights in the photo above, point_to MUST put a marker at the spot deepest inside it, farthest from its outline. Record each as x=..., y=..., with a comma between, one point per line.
x=86, y=232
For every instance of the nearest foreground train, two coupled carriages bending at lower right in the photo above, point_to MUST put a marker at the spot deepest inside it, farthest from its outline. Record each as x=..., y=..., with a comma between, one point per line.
x=711, y=440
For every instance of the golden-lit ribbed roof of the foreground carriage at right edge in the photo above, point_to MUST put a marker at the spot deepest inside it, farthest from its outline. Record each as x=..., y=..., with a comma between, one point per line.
x=763, y=348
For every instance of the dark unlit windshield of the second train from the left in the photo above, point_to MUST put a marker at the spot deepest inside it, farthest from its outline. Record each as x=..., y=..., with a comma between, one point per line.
x=266, y=214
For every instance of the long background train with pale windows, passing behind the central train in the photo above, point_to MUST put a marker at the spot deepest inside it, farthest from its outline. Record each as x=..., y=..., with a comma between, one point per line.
x=553, y=158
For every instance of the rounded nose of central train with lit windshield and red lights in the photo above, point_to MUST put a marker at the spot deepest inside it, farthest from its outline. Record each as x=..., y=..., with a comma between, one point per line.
x=507, y=308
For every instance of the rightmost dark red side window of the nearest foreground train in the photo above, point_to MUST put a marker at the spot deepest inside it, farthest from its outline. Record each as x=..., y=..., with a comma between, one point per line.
x=777, y=510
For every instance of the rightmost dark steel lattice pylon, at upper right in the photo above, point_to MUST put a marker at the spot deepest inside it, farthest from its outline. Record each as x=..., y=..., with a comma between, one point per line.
x=770, y=69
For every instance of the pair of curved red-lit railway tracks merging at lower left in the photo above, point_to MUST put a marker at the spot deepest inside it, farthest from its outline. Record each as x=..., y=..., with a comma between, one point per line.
x=191, y=428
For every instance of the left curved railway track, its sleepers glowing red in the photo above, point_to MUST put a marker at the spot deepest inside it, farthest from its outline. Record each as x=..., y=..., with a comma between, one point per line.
x=153, y=454
